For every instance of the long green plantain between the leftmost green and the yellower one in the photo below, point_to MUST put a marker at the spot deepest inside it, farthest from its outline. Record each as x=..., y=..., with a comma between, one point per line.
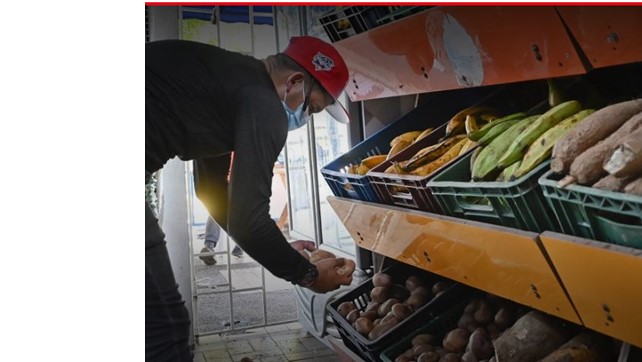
x=549, y=119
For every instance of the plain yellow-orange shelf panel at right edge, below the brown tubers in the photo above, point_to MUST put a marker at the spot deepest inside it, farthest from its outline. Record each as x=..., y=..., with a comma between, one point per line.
x=604, y=282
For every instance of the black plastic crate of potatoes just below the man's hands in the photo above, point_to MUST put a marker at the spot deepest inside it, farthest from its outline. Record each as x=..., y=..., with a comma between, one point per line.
x=360, y=296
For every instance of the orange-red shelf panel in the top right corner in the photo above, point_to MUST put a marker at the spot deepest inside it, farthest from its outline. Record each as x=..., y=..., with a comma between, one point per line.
x=608, y=35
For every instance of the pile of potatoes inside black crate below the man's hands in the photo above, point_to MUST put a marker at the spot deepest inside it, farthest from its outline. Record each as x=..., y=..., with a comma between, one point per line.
x=390, y=303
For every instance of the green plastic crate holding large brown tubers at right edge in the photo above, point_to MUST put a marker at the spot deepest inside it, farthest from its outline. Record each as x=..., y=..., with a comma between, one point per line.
x=612, y=217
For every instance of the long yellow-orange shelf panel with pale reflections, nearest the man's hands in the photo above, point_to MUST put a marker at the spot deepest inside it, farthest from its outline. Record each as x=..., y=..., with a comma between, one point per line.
x=502, y=261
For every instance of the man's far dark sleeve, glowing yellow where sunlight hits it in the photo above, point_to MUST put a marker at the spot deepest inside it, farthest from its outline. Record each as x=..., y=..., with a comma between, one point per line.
x=211, y=185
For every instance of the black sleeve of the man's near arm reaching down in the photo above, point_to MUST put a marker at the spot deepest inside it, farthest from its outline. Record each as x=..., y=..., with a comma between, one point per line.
x=260, y=132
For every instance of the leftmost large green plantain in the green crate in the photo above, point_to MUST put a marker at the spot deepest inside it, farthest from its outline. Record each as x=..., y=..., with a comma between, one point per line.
x=485, y=166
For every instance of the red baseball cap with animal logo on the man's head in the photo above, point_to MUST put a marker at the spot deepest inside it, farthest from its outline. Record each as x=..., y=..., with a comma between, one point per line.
x=326, y=65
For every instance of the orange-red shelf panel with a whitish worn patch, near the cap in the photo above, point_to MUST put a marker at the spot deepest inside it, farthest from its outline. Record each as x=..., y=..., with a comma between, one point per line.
x=457, y=47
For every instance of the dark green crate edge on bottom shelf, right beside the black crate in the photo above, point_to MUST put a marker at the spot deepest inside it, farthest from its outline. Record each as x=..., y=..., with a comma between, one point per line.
x=438, y=327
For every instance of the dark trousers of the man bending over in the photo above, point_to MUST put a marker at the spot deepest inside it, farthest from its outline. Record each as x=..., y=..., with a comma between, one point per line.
x=166, y=318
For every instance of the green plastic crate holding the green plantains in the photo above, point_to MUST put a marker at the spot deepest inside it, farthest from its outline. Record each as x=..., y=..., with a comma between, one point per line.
x=519, y=204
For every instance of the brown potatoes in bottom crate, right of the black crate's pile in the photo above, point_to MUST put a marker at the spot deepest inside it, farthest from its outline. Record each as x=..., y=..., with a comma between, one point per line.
x=482, y=321
